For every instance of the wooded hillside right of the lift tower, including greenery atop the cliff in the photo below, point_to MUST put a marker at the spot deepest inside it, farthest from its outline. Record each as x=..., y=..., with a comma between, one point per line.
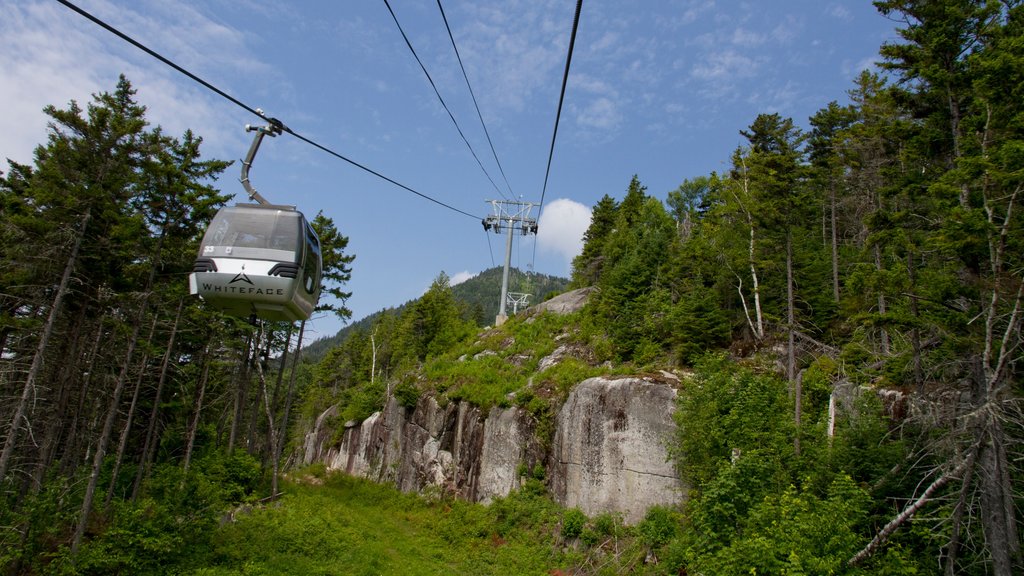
x=874, y=257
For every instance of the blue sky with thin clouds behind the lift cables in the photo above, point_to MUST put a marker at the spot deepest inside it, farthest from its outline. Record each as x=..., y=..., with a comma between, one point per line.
x=657, y=89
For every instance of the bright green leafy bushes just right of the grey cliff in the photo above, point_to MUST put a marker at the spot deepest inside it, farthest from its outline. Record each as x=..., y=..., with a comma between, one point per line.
x=755, y=507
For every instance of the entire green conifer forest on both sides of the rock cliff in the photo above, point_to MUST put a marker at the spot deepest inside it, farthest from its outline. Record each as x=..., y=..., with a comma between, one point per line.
x=846, y=299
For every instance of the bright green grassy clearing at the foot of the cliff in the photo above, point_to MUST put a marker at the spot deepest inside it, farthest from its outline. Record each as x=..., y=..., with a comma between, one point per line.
x=351, y=526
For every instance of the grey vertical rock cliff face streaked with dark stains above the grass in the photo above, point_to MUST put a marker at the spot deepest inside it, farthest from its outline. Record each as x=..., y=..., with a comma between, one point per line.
x=609, y=454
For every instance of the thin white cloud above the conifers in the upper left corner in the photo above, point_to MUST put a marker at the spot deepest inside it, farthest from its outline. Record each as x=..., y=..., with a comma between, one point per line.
x=51, y=56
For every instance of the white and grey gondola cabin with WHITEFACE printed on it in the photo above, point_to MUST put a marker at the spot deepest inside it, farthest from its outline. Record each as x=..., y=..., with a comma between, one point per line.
x=260, y=260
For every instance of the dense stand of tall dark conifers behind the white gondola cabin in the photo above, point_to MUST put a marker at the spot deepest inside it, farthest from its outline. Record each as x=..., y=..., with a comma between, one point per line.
x=120, y=392
